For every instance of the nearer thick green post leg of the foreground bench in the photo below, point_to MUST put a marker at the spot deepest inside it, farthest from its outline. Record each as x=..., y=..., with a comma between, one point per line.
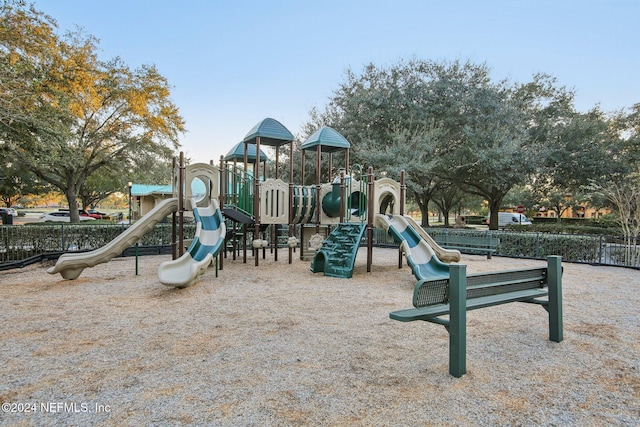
x=458, y=320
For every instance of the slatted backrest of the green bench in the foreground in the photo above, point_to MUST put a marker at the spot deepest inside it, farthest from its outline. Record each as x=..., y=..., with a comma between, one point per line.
x=431, y=292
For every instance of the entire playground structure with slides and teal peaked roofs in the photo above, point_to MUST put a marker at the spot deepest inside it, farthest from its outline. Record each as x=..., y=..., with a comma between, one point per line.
x=241, y=209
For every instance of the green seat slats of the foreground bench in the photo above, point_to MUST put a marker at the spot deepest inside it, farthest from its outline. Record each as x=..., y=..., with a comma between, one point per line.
x=429, y=312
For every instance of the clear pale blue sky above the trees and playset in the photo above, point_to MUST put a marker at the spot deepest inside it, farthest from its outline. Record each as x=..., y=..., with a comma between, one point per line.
x=233, y=63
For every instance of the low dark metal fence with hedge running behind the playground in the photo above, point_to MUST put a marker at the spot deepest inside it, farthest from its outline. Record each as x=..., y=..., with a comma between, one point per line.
x=20, y=243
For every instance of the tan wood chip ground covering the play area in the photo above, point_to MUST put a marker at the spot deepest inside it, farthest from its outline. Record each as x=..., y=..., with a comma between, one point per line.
x=278, y=345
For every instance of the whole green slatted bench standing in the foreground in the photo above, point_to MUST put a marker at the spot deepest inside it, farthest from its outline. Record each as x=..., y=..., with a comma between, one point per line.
x=434, y=299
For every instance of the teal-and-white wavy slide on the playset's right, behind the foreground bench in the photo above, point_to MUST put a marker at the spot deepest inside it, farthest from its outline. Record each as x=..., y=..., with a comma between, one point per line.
x=420, y=256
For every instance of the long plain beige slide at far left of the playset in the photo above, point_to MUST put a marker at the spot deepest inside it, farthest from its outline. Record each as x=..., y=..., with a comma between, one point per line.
x=70, y=266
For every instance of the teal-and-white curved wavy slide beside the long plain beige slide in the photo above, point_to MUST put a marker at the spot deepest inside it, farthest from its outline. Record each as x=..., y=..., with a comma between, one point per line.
x=209, y=239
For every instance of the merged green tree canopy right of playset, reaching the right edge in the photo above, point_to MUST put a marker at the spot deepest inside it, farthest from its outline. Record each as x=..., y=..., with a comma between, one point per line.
x=454, y=129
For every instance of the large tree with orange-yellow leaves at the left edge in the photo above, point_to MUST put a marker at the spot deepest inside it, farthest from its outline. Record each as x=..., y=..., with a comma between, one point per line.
x=67, y=114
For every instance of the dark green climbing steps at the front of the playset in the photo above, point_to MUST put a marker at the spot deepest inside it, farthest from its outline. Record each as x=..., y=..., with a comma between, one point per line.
x=337, y=255
